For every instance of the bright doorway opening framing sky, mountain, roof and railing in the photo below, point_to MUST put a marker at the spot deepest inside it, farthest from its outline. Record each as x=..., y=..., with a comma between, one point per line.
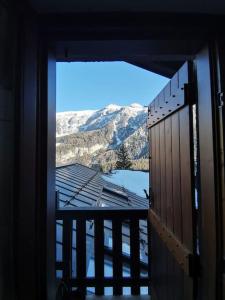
x=102, y=162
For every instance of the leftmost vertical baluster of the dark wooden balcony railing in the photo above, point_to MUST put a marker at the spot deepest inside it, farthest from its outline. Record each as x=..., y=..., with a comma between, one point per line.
x=67, y=249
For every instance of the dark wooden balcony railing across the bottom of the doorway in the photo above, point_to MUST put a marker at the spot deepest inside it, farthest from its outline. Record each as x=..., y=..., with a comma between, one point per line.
x=127, y=227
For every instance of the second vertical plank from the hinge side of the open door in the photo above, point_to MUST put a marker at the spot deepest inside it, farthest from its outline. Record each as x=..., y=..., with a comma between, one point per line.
x=177, y=213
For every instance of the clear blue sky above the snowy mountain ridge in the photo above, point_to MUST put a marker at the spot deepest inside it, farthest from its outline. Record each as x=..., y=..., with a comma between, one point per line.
x=93, y=85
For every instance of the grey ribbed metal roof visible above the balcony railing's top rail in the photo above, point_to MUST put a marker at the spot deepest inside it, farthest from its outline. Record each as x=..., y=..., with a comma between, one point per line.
x=78, y=186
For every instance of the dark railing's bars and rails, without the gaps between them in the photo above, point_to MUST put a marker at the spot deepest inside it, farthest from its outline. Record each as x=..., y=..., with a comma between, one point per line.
x=118, y=260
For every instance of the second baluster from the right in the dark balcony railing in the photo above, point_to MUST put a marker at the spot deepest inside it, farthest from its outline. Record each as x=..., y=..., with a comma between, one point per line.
x=117, y=256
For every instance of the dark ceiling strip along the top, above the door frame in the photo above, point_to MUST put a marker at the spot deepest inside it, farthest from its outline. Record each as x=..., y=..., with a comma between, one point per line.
x=182, y=6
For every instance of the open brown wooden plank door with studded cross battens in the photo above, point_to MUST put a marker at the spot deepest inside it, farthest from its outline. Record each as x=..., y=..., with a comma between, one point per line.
x=173, y=247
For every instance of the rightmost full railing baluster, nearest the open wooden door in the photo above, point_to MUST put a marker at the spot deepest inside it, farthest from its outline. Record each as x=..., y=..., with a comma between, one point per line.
x=135, y=255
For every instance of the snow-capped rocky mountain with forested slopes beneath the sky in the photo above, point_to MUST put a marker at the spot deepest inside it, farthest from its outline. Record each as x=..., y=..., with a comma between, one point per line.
x=92, y=137
